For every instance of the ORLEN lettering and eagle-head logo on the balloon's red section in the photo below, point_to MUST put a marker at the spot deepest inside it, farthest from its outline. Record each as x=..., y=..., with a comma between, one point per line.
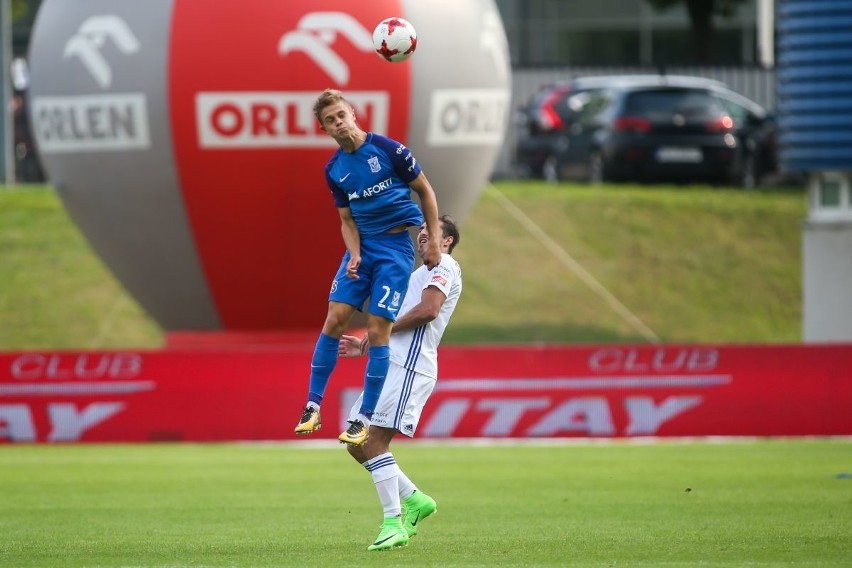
x=285, y=119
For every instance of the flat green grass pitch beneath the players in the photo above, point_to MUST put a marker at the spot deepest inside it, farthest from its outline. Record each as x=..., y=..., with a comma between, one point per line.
x=669, y=504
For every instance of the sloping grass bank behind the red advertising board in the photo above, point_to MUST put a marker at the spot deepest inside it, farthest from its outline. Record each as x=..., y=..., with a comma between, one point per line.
x=542, y=263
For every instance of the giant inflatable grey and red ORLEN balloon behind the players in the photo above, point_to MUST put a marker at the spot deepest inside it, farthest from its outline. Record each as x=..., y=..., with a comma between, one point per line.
x=181, y=139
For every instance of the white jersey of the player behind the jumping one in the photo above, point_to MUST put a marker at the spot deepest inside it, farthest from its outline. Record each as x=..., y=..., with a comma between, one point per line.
x=417, y=349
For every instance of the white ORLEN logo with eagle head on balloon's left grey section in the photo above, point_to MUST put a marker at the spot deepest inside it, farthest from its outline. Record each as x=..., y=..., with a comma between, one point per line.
x=94, y=122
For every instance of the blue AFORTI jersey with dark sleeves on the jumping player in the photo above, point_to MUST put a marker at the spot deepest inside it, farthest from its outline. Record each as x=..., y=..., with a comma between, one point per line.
x=373, y=182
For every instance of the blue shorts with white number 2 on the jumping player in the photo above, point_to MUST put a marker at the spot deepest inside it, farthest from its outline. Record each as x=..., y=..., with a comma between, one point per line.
x=387, y=261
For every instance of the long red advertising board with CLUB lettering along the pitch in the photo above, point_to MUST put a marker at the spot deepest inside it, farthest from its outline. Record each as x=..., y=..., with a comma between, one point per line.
x=483, y=392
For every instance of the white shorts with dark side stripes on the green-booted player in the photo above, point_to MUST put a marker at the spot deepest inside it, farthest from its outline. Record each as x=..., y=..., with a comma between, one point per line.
x=402, y=400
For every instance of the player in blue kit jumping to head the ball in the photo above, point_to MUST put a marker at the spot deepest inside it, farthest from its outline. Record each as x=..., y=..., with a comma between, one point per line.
x=371, y=178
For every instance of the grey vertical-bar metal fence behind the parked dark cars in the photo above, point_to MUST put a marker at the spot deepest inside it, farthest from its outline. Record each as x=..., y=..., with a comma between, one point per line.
x=755, y=83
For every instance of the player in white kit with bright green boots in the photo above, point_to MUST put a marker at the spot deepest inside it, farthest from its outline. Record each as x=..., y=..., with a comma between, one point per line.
x=429, y=303
